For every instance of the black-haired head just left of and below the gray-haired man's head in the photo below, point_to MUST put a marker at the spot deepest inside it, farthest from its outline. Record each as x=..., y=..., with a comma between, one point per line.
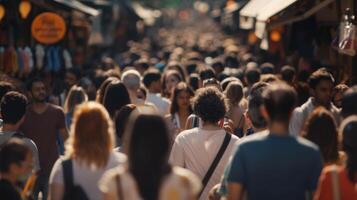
x=115, y=97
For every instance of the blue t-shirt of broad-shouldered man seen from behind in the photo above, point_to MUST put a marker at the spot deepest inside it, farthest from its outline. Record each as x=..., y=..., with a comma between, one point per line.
x=276, y=167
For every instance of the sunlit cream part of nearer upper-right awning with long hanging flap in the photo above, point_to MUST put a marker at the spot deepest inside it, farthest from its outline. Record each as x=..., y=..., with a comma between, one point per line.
x=271, y=9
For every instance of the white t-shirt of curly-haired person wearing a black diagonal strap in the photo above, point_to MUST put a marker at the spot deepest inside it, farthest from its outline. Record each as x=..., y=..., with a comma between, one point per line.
x=195, y=149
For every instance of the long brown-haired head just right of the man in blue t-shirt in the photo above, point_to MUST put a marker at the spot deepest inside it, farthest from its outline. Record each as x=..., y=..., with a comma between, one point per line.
x=320, y=128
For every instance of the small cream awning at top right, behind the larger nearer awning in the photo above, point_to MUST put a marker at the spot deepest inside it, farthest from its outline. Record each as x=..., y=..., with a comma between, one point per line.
x=250, y=11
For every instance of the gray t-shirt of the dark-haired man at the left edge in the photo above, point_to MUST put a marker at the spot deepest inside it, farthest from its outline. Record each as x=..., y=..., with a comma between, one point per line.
x=7, y=135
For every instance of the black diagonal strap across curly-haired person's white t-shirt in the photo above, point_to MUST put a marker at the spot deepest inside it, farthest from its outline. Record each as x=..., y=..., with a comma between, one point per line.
x=215, y=162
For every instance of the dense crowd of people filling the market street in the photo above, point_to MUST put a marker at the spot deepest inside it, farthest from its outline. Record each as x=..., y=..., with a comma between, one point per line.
x=188, y=114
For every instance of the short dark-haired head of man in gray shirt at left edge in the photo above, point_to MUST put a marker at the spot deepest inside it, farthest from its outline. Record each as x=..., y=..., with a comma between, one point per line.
x=13, y=108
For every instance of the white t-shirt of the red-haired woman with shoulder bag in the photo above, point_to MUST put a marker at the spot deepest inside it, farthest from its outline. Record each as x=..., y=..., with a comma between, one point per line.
x=86, y=176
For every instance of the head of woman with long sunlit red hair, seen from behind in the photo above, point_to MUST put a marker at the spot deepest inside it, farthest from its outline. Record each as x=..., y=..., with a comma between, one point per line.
x=87, y=140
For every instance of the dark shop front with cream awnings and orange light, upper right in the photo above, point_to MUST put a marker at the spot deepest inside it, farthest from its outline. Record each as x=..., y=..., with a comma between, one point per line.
x=306, y=28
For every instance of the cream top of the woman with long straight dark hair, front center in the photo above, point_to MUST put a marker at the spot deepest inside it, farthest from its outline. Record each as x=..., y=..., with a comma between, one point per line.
x=181, y=184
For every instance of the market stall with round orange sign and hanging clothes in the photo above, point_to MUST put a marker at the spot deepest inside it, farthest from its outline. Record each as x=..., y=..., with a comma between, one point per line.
x=39, y=35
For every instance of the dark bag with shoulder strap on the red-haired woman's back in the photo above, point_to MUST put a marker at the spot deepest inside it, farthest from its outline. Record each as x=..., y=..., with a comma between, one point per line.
x=72, y=192
